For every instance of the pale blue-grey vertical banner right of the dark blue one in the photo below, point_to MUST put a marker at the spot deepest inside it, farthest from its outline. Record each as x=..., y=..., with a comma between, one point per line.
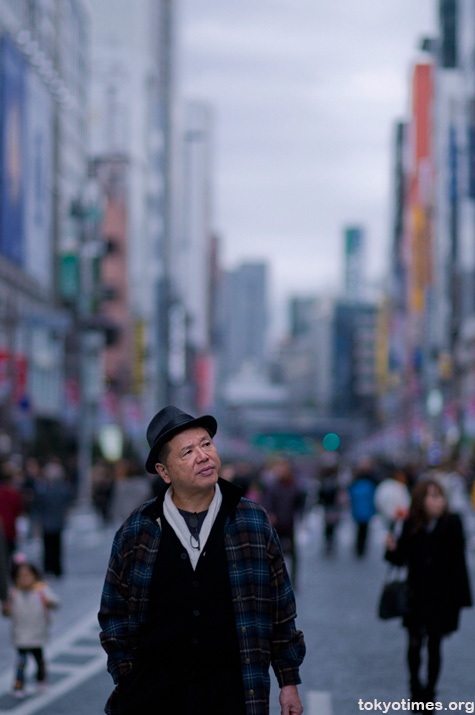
x=38, y=181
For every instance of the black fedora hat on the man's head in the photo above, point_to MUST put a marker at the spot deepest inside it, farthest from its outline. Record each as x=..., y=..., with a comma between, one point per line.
x=166, y=424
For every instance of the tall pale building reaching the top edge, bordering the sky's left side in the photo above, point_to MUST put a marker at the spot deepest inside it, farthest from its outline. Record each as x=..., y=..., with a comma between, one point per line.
x=132, y=124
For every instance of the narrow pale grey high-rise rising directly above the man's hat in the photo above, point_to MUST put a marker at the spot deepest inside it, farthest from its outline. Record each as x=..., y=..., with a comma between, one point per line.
x=192, y=271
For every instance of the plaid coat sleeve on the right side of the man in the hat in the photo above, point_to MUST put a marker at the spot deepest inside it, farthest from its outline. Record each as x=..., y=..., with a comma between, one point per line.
x=288, y=646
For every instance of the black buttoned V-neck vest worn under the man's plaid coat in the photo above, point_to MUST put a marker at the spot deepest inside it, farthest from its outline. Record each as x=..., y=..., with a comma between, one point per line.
x=191, y=618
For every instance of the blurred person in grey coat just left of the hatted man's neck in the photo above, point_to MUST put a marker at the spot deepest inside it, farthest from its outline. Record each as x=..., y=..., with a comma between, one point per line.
x=131, y=489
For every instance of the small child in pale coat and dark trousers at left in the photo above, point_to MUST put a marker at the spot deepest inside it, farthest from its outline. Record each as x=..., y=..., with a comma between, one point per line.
x=29, y=603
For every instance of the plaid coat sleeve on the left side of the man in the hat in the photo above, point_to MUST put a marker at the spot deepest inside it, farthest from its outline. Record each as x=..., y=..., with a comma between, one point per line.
x=114, y=612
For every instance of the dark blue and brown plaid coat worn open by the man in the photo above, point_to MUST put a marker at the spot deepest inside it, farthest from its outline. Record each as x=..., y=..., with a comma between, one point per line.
x=263, y=598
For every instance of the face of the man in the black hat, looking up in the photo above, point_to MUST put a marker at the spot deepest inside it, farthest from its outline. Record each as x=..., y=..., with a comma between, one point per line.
x=192, y=464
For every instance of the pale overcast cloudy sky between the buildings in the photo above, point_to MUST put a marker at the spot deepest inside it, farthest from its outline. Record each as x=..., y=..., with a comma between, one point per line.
x=305, y=95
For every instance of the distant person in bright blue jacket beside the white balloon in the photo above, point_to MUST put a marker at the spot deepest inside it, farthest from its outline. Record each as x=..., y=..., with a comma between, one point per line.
x=361, y=492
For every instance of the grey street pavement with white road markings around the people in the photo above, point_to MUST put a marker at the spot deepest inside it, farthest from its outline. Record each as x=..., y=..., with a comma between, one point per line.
x=351, y=654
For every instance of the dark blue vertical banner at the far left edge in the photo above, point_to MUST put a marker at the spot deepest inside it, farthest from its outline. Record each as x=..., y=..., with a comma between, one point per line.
x=12, y=143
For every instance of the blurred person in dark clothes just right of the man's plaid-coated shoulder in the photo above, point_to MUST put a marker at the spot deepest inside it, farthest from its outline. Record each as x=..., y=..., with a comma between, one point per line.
x=284, y=500
